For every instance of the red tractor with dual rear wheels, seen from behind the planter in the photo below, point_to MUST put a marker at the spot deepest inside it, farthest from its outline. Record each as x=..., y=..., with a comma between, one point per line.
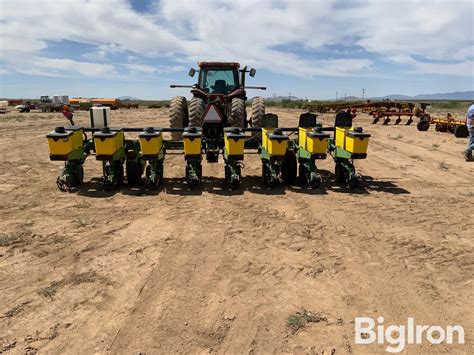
x=221, y=86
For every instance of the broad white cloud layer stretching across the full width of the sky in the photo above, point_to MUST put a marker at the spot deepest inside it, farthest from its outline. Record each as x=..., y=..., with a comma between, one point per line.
x=280, y=35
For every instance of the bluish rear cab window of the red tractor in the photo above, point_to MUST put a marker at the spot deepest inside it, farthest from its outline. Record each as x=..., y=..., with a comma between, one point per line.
x=218, y=81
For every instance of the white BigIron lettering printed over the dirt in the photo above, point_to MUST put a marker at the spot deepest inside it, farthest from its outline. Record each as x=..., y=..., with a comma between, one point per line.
x=398, y=336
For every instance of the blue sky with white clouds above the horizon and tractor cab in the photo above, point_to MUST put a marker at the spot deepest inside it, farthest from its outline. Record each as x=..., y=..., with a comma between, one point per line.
x=311, y=49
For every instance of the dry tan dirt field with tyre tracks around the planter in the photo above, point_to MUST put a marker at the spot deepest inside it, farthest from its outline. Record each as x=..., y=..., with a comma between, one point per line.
x=218, y=271
